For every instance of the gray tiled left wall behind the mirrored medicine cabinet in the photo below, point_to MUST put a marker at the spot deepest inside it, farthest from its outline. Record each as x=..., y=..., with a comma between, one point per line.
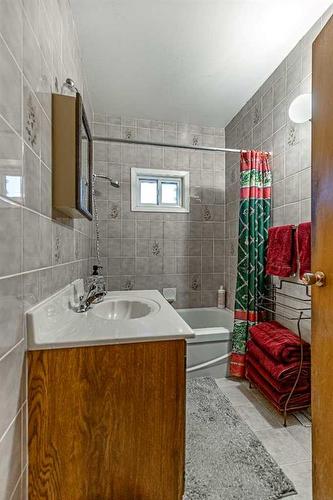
x=38, y=255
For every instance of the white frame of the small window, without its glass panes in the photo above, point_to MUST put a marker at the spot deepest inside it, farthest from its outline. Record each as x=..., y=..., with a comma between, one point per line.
x=181, y=177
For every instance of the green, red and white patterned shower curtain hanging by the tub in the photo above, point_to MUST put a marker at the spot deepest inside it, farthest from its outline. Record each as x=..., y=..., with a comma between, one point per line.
x=254, y=221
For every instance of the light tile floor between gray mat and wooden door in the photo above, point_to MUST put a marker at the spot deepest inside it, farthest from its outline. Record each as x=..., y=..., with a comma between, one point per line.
x=290, y=446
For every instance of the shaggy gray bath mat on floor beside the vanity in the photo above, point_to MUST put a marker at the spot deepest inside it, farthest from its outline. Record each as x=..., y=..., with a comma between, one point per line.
x=224, y=458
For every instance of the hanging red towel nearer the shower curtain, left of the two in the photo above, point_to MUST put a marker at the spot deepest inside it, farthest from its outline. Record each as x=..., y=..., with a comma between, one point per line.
x=281, y=252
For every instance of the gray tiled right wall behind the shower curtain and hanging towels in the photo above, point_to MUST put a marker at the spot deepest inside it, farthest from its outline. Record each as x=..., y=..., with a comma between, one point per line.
x=263, y=123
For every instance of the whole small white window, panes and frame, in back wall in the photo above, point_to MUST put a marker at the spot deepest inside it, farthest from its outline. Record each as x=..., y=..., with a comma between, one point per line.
x=159, y=190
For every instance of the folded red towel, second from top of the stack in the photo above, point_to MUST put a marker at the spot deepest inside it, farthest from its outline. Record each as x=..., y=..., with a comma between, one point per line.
x=280, y=372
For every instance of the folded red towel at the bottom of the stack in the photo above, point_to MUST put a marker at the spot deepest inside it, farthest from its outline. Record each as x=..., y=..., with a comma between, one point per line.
x=298, y=399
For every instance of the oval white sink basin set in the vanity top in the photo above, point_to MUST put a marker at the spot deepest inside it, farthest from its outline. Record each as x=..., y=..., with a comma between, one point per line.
x=124, y=309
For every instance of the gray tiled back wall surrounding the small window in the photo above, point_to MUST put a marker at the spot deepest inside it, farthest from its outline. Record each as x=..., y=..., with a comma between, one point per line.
x=152, y=250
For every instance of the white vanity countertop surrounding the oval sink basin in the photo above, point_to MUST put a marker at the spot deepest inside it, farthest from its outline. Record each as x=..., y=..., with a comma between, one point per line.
x=54, y=323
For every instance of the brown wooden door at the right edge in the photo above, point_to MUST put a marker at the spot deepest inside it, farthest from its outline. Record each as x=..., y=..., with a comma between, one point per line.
x=322, y=260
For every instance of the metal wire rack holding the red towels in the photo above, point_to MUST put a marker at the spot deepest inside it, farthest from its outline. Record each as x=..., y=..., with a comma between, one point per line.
x=274, y=304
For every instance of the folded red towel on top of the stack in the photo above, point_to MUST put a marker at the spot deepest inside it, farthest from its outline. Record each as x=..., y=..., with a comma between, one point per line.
x=279, y=342
